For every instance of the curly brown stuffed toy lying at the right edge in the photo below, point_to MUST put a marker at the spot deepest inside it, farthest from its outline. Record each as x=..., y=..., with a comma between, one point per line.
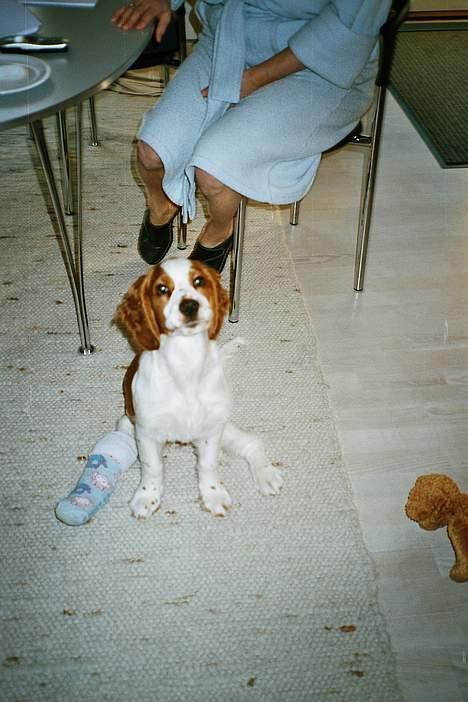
x=436, y=501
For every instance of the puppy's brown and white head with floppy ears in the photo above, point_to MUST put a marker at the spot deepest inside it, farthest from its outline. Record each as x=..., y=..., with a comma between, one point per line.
x=179, y=296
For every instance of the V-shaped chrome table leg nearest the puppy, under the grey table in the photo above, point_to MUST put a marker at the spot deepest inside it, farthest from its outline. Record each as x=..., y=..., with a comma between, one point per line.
x=73, y=263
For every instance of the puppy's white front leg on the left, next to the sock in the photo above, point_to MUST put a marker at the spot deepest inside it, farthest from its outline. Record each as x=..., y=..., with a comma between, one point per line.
x=147, y=497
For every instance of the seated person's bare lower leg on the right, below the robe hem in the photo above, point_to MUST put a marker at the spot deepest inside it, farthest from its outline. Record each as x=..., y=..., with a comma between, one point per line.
x=223, y=203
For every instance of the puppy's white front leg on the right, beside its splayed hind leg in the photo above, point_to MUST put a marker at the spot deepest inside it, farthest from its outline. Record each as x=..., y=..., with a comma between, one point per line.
x=215, y=497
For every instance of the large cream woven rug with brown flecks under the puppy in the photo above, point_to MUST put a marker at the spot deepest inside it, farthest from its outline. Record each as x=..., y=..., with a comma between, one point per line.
x=275, y=602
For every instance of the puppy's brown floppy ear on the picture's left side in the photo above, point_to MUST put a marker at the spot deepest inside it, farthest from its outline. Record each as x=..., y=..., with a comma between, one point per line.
x=135, y=315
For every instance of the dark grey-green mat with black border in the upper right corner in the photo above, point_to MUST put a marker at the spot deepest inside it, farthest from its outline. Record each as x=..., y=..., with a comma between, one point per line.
x=429, y=79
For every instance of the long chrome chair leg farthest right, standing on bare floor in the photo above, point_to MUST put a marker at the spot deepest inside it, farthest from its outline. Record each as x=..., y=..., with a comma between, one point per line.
x=367, y=192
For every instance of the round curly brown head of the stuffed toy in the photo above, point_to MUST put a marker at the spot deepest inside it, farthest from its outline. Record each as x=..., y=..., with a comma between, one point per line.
x=433, y=500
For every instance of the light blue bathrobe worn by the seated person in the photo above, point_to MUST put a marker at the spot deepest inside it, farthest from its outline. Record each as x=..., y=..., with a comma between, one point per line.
x=266, y=146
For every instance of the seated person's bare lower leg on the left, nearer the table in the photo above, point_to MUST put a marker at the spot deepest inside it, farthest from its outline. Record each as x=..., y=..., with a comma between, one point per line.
x=151, y=170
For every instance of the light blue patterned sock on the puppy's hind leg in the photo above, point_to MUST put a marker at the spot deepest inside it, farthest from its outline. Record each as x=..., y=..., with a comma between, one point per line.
x=113, y=454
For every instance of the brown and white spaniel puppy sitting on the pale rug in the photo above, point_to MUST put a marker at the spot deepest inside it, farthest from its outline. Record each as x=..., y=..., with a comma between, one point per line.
x=175, y=388
